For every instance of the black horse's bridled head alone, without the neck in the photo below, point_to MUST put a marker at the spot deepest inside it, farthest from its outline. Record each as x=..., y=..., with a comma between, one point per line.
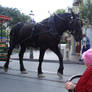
x=75, y=26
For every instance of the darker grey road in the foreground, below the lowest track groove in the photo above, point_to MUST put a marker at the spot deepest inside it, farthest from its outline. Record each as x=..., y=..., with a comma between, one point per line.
x=9, y=83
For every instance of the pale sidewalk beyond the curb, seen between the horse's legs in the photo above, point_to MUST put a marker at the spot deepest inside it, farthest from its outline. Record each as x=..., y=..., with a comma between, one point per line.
x=49, y=57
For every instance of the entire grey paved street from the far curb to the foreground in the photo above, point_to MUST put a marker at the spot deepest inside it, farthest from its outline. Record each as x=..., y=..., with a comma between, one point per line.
x=14, y=81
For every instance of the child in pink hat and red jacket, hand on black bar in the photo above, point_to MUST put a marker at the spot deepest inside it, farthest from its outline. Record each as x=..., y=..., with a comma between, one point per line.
x=85, y=82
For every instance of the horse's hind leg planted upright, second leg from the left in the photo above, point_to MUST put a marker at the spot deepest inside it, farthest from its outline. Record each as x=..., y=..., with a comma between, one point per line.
x=21, y=54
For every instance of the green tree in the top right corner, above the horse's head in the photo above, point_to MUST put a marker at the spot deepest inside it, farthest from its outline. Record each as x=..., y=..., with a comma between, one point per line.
x=86, y=12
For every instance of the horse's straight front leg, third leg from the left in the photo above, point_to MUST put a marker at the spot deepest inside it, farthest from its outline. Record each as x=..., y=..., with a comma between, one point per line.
x=42, y=52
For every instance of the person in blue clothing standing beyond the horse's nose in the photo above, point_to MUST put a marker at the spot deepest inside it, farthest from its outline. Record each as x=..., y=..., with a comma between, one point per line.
x=85, y=45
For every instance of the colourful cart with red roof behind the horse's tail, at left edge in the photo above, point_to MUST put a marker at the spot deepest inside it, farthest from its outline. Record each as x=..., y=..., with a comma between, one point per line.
x=3, y=40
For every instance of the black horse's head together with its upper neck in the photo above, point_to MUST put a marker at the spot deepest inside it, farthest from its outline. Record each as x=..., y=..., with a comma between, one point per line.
x=70, y=22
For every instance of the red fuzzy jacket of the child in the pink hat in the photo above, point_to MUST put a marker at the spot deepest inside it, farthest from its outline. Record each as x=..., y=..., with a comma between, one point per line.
x=85, y=82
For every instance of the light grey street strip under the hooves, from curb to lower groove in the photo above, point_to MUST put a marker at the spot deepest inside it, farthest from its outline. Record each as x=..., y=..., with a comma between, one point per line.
x=49, y=69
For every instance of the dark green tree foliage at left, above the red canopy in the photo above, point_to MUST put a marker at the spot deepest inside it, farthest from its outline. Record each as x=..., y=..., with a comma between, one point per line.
x=15, y=14
